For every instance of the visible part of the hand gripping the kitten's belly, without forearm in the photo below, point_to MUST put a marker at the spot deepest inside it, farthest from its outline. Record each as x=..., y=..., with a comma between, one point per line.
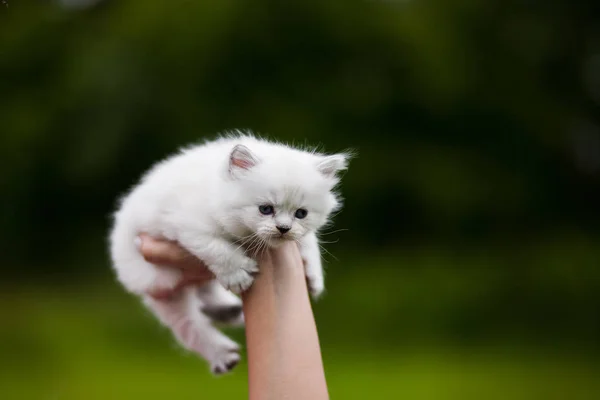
x=169, y=254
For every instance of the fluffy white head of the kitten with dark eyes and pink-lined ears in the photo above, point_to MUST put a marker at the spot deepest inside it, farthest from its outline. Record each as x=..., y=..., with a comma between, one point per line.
x=284, y=193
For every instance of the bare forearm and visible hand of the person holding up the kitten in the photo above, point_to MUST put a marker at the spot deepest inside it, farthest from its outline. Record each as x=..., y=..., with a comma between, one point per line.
x=284, y=356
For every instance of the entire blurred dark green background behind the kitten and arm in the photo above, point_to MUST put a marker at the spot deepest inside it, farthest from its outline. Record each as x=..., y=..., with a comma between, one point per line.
x=468, y=266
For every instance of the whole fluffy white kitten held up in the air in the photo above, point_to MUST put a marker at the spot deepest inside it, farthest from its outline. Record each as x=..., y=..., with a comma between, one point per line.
x=224, y=201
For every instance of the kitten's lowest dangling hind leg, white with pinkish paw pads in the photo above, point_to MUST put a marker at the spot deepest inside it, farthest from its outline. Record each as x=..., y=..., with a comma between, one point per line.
x=194, y=330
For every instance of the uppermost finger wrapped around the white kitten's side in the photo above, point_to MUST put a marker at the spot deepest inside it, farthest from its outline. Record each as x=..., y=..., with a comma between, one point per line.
x=167, y=253
